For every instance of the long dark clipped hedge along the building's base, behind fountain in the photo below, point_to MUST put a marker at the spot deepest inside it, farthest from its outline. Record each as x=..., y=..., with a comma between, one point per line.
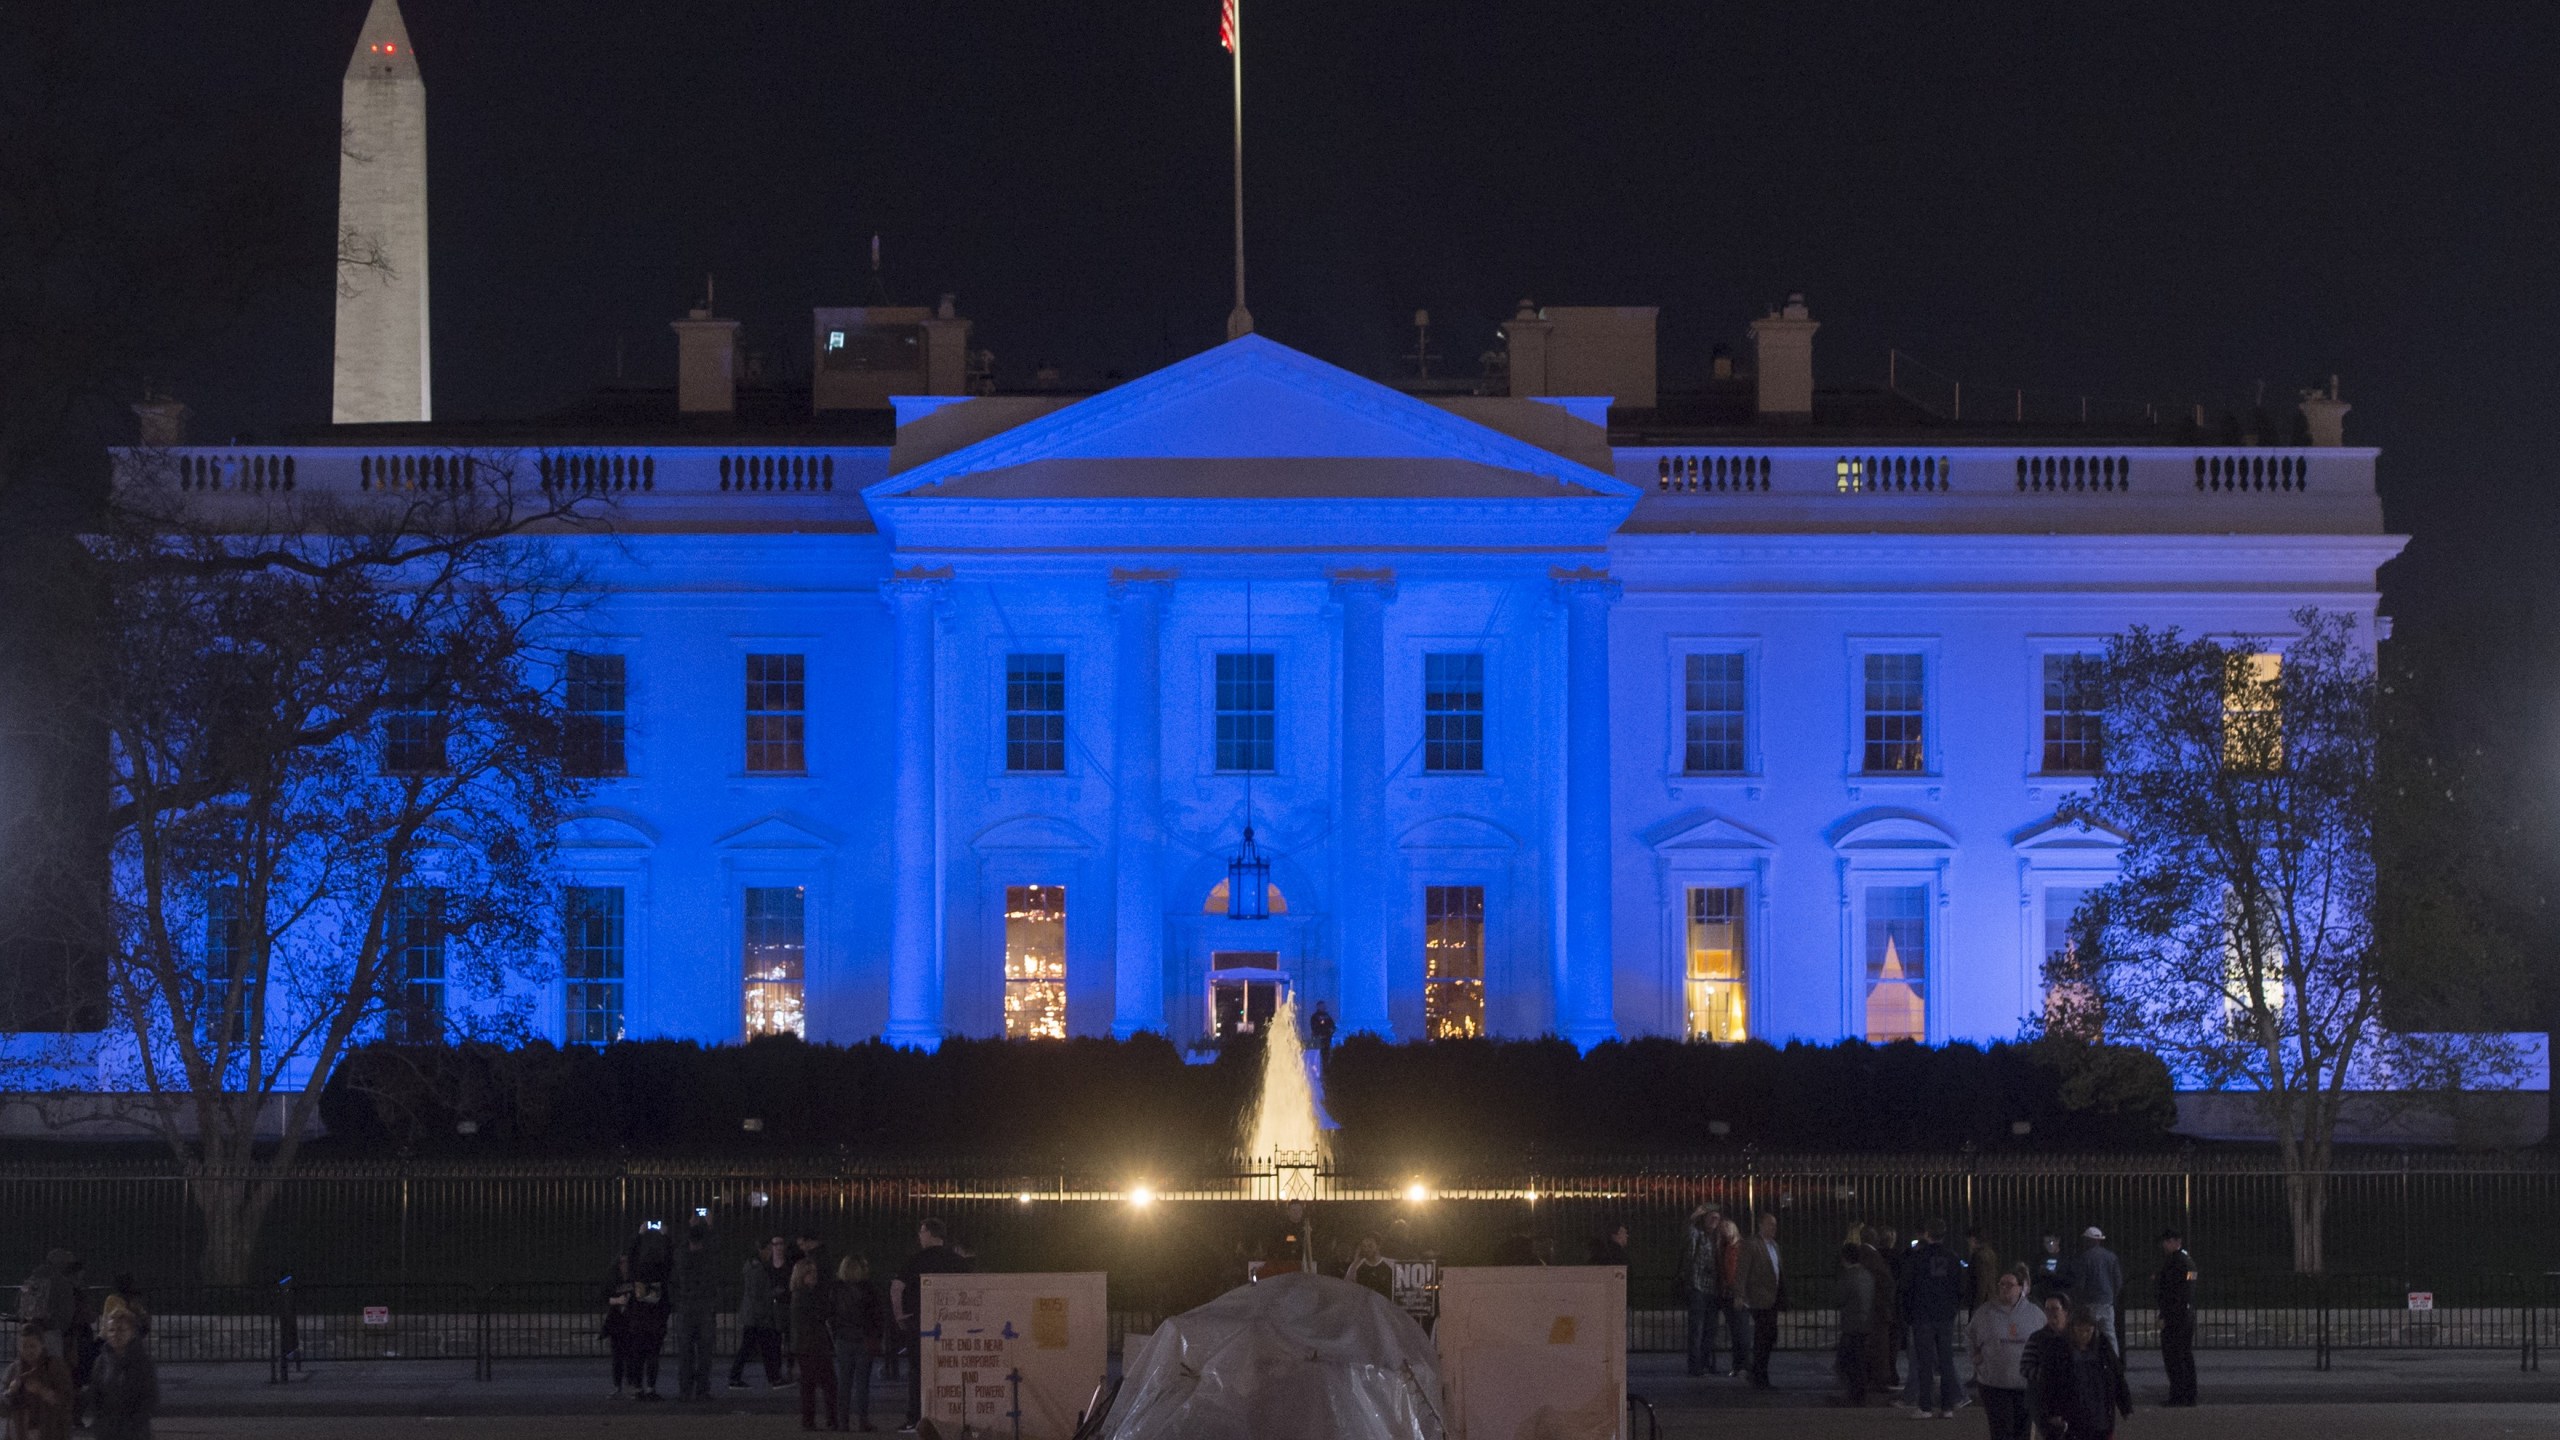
x=1450, y=1106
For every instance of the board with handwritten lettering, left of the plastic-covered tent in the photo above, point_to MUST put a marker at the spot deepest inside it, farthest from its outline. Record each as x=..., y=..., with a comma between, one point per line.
x=1000, y=1341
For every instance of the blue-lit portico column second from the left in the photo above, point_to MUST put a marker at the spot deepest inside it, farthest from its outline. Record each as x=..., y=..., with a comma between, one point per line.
x=1138, y=801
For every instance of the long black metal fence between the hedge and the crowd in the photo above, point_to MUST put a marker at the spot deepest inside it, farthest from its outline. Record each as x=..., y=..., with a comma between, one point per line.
x=2472, y=1229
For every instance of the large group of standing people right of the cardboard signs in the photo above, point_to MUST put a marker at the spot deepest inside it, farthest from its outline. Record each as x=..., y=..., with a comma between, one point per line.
x=2042, y=1336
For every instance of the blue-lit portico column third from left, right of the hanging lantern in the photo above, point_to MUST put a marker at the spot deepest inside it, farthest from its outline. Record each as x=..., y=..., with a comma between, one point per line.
x=1361, y=801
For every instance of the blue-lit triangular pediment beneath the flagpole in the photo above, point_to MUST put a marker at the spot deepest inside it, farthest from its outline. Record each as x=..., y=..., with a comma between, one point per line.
x=1240, y=421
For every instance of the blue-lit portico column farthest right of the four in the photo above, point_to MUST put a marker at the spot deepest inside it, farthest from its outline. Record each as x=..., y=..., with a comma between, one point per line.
x=1586, y=998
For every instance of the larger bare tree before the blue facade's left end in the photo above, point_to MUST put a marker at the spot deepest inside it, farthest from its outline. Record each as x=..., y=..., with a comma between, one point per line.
x=337, y=773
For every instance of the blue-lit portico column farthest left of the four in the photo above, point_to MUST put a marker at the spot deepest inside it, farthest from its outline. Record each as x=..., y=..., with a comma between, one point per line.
x=915, y=960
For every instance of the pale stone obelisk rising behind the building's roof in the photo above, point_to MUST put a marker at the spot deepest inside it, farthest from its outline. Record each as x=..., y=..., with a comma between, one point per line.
x=383, y=209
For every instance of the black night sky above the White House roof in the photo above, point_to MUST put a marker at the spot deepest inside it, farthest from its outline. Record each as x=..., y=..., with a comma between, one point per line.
x=2134, y=201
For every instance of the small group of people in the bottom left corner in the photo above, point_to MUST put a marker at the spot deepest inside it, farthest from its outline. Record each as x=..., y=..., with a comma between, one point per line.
x=78, y=1364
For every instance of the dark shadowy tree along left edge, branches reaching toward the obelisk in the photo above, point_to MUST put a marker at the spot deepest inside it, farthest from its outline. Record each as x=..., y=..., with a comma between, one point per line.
x=140, y=224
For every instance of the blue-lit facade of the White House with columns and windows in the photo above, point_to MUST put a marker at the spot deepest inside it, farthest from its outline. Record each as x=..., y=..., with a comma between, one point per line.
x=1742, y=737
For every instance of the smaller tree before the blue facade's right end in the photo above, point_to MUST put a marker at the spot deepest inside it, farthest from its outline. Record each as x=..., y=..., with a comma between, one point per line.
x=2239, y=939
